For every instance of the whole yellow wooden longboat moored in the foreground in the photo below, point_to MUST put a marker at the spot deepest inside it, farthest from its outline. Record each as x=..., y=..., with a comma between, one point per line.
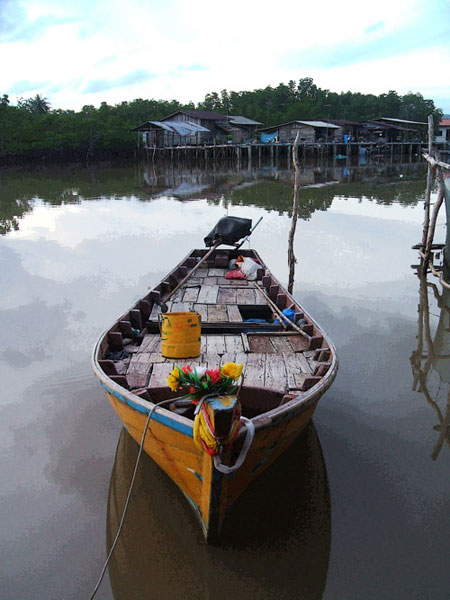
x=286, y=371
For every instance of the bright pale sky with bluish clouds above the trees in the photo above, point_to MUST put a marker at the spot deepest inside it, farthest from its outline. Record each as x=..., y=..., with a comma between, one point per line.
x=91, y=51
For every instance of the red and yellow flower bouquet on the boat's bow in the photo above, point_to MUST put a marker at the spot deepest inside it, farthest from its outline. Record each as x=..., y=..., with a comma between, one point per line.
x=197, y=382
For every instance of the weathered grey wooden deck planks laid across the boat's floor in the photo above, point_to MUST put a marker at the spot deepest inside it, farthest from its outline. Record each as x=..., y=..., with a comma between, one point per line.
x=279, y=360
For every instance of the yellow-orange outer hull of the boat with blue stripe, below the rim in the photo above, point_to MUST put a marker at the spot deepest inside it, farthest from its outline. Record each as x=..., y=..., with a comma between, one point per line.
x=211, y=493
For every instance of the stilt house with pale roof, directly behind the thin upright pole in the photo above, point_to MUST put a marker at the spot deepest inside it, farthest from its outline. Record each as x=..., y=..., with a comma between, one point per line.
x=310, y=132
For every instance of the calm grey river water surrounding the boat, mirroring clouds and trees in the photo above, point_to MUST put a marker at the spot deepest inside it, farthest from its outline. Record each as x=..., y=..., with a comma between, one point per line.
x=358, y=507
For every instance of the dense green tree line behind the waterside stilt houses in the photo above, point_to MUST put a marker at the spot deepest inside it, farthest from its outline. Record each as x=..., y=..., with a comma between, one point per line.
x=32, y=131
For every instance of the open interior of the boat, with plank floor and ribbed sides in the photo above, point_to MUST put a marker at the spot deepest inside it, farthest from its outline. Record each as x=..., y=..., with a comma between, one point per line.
x=240, y=322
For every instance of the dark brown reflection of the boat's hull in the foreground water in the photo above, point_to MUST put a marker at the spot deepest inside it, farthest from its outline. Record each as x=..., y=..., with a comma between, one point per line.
x=274, y=544
